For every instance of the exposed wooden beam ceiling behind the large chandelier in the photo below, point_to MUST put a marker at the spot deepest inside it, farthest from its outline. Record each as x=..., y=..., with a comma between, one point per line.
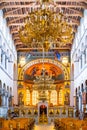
x=15, y=12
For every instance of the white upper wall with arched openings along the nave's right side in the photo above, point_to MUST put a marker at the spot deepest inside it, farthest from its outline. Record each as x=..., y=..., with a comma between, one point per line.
x=79, y=57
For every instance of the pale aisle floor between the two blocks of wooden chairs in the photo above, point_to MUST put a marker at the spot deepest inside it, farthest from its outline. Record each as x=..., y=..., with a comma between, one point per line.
x=44, y=127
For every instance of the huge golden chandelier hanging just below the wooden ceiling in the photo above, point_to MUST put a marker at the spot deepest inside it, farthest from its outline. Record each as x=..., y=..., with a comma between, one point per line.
x=46, y=26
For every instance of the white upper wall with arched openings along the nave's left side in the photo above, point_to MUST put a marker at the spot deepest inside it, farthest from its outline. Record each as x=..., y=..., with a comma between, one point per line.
x=9, y=52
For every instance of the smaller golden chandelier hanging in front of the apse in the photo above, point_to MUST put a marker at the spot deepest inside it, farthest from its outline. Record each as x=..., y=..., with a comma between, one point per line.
x=42, y=84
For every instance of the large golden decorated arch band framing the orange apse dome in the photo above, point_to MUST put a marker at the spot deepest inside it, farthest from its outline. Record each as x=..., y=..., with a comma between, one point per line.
x=54, y=62
